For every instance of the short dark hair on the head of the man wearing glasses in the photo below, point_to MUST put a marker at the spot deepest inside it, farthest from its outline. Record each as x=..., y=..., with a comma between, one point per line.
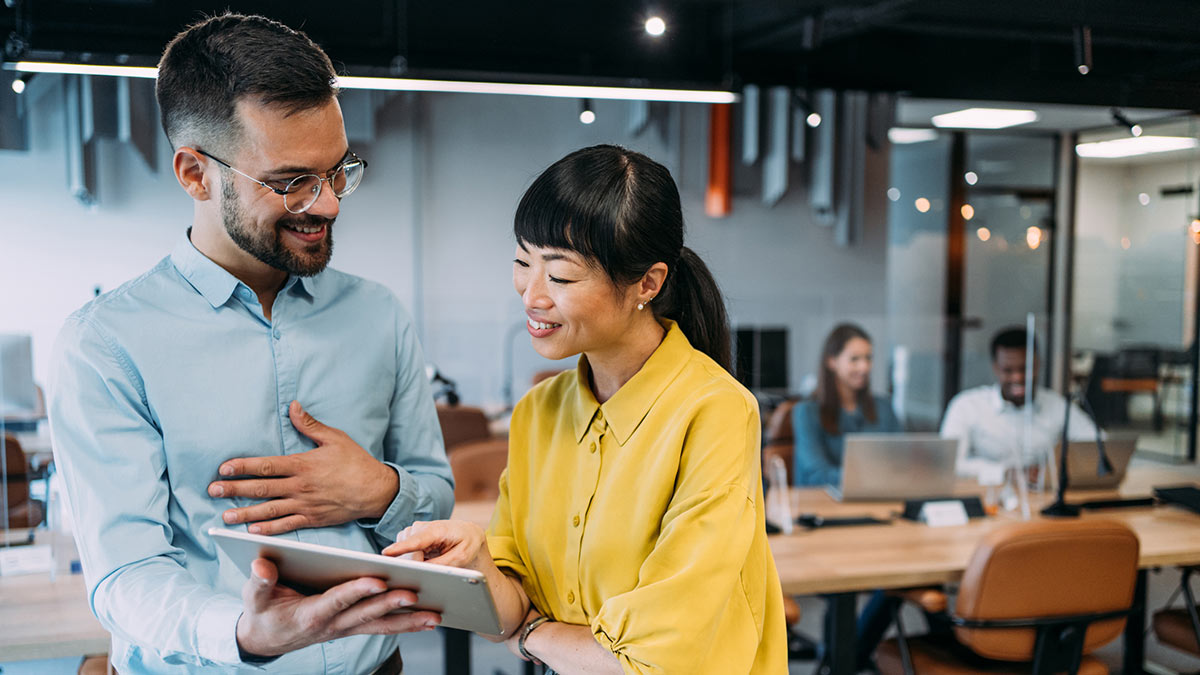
x=214, y=64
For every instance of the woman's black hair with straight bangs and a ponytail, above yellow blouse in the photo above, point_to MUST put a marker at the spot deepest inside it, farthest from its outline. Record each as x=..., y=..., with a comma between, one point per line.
x=621, y=211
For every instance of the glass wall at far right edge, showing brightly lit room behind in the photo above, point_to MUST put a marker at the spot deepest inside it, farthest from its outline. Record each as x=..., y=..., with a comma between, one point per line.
x=1135, y=302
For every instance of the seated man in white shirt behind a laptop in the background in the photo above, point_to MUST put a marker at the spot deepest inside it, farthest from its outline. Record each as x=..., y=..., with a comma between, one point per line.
x=989, y=421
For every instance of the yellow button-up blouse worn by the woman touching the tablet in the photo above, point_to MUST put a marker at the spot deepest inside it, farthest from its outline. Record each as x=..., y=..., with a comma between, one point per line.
x=643, y=518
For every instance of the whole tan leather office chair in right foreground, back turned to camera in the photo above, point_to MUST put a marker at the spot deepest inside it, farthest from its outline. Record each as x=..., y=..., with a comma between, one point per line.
x=1046, y=590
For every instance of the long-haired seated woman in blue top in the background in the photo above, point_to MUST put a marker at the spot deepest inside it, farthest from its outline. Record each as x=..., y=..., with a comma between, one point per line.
x=842, y=404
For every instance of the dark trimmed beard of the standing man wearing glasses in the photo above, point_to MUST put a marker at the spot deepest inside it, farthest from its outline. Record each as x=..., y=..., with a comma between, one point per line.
x=268, y=247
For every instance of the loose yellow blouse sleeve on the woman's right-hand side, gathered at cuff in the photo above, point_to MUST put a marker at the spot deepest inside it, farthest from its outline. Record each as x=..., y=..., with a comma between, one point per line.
x=693, y=575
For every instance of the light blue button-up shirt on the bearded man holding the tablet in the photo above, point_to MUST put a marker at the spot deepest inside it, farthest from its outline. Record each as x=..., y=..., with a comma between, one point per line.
x=160, y=381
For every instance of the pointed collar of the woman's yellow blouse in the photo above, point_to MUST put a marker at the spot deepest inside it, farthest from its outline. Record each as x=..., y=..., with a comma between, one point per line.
x=629, y=407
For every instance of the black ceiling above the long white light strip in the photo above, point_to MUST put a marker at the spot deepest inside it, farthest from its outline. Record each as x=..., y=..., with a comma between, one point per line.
x=1143, y=53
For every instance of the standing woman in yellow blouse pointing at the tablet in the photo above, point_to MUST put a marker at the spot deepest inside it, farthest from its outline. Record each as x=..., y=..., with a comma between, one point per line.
x=629, y=531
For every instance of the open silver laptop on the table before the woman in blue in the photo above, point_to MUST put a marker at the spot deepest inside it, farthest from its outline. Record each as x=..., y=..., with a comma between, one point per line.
x=897, y=467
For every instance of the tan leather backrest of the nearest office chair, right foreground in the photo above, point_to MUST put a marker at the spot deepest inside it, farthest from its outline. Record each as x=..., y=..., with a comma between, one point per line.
x=1047, y=569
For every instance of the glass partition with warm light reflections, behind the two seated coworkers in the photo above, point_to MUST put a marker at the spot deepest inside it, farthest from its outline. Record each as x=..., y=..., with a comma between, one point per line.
x=970, y=247
